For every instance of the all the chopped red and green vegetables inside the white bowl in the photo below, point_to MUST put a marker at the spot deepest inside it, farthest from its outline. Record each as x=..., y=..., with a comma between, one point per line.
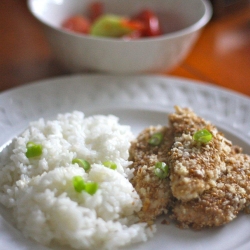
x=95, y=22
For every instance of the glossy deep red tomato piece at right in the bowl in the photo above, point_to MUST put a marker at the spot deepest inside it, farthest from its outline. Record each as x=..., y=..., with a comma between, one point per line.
x=151, y=22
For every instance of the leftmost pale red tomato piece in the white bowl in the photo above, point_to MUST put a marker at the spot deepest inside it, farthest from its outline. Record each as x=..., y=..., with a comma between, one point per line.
x=77, y=24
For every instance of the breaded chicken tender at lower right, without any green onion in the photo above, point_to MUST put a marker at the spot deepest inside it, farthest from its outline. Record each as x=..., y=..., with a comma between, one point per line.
x=220, y=204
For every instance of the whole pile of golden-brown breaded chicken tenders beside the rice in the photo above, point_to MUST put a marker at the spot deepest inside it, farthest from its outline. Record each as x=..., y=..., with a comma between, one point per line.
x=208, y=182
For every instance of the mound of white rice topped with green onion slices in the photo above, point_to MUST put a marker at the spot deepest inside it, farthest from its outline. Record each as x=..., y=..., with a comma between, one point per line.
x=40, y=191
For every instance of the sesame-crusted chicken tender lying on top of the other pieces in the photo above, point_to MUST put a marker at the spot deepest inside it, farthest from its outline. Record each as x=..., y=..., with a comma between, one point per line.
x=195, y=167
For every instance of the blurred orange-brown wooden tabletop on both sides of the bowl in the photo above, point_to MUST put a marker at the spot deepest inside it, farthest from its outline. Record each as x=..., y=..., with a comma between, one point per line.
x=221, y=55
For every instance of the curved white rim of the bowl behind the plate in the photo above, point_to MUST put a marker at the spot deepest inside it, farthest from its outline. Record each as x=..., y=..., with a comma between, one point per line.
x=198, y=25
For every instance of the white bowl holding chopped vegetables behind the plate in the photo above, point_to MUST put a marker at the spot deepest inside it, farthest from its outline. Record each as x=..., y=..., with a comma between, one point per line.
x=182, y=21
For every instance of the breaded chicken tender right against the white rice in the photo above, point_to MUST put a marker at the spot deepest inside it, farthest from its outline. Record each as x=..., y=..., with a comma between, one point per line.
x=154, y=192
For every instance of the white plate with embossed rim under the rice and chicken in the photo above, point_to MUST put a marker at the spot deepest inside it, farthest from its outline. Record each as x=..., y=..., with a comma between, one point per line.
x=139, y=101
